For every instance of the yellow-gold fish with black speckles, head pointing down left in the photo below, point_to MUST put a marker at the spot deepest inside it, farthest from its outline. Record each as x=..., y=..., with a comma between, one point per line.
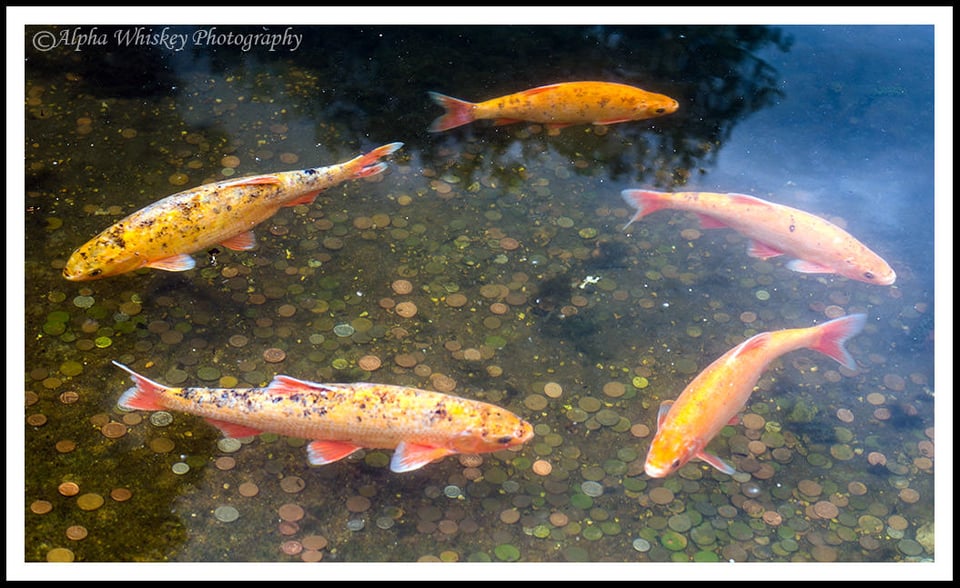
x=162, y=235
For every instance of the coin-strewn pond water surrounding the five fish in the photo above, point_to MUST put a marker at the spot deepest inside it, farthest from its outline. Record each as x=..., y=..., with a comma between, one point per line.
x=529, y=293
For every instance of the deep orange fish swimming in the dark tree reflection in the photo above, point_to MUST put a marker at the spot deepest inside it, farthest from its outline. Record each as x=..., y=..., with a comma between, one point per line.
x=558, y=106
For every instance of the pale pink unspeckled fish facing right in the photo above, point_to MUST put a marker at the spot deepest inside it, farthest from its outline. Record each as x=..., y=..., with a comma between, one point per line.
x=818, y=246
